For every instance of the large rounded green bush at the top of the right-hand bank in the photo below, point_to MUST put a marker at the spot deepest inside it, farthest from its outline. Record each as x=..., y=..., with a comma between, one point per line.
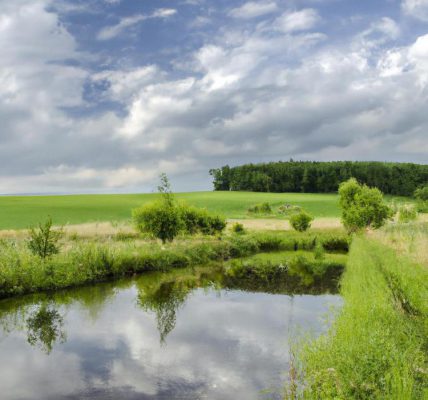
x=362, y=207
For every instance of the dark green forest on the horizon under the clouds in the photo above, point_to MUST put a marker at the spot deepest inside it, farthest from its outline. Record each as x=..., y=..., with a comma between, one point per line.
x=320, y=177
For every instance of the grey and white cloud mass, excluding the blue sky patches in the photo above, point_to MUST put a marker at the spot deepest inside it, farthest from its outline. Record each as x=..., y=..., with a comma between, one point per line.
x=248, y=94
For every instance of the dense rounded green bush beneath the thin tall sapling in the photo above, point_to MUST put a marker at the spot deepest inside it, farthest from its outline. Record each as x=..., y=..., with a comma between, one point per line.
x=159, y=219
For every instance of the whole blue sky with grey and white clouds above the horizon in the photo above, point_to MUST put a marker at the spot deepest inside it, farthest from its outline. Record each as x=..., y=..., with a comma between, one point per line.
x=101, y=96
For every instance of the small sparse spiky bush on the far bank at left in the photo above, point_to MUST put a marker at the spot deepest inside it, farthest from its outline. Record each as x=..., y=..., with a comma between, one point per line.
x=44, y=240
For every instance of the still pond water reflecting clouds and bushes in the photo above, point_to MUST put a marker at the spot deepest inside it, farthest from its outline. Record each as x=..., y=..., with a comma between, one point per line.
x=182, y=335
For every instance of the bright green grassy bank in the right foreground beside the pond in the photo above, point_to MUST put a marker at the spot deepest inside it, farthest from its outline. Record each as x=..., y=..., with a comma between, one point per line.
x=377, y=346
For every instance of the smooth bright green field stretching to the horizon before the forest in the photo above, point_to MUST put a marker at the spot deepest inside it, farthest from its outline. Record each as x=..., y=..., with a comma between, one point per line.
x=23, y=211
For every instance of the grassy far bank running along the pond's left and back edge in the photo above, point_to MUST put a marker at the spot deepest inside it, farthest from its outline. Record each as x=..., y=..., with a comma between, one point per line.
x=83, y=261
